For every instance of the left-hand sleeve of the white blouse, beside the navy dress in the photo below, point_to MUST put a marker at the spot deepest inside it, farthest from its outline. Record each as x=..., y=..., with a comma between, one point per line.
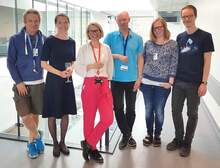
x=80, y=64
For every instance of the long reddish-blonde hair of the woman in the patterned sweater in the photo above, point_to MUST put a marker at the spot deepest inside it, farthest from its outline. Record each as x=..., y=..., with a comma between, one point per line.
x=166, y=31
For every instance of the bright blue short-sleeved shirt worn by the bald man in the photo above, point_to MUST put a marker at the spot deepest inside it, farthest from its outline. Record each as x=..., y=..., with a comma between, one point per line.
x=132, y=50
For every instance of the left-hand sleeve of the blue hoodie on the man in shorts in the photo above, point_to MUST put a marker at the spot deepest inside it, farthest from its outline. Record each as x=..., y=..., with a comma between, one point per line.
x=11, y=62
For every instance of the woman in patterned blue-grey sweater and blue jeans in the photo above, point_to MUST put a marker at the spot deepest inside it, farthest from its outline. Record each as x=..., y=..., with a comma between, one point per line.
x=159, y=69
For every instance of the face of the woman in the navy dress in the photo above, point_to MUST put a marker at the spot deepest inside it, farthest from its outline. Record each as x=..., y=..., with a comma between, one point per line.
x=62, y=24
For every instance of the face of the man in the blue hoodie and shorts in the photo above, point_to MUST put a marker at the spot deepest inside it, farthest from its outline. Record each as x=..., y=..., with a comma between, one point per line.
x=32, y=23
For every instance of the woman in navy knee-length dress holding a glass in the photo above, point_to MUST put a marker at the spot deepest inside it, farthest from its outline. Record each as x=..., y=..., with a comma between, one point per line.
x=59, y=97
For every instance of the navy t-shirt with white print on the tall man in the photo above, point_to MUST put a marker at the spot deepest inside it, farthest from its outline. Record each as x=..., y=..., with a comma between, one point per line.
x=191, y=55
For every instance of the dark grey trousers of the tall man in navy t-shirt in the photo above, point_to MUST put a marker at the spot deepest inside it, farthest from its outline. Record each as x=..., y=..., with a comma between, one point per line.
x=182, y=91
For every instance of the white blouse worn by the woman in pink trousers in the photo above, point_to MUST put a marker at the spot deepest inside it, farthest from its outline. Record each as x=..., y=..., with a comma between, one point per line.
x=85, y=57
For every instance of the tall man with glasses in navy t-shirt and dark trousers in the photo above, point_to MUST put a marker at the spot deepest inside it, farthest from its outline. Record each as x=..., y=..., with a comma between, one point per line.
x=195, y=50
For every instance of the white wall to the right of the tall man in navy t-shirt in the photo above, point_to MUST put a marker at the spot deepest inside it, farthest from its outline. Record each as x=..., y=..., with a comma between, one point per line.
x=208, y=16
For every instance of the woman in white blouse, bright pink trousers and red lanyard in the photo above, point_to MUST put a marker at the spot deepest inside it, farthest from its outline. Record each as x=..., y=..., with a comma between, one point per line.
x=95, y=64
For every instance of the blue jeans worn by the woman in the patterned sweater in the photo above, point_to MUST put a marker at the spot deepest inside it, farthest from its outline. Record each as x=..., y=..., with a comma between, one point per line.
x=155, y=98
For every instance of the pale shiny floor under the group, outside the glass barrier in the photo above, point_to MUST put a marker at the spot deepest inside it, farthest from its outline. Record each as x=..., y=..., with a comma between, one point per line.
x=205, y=150
